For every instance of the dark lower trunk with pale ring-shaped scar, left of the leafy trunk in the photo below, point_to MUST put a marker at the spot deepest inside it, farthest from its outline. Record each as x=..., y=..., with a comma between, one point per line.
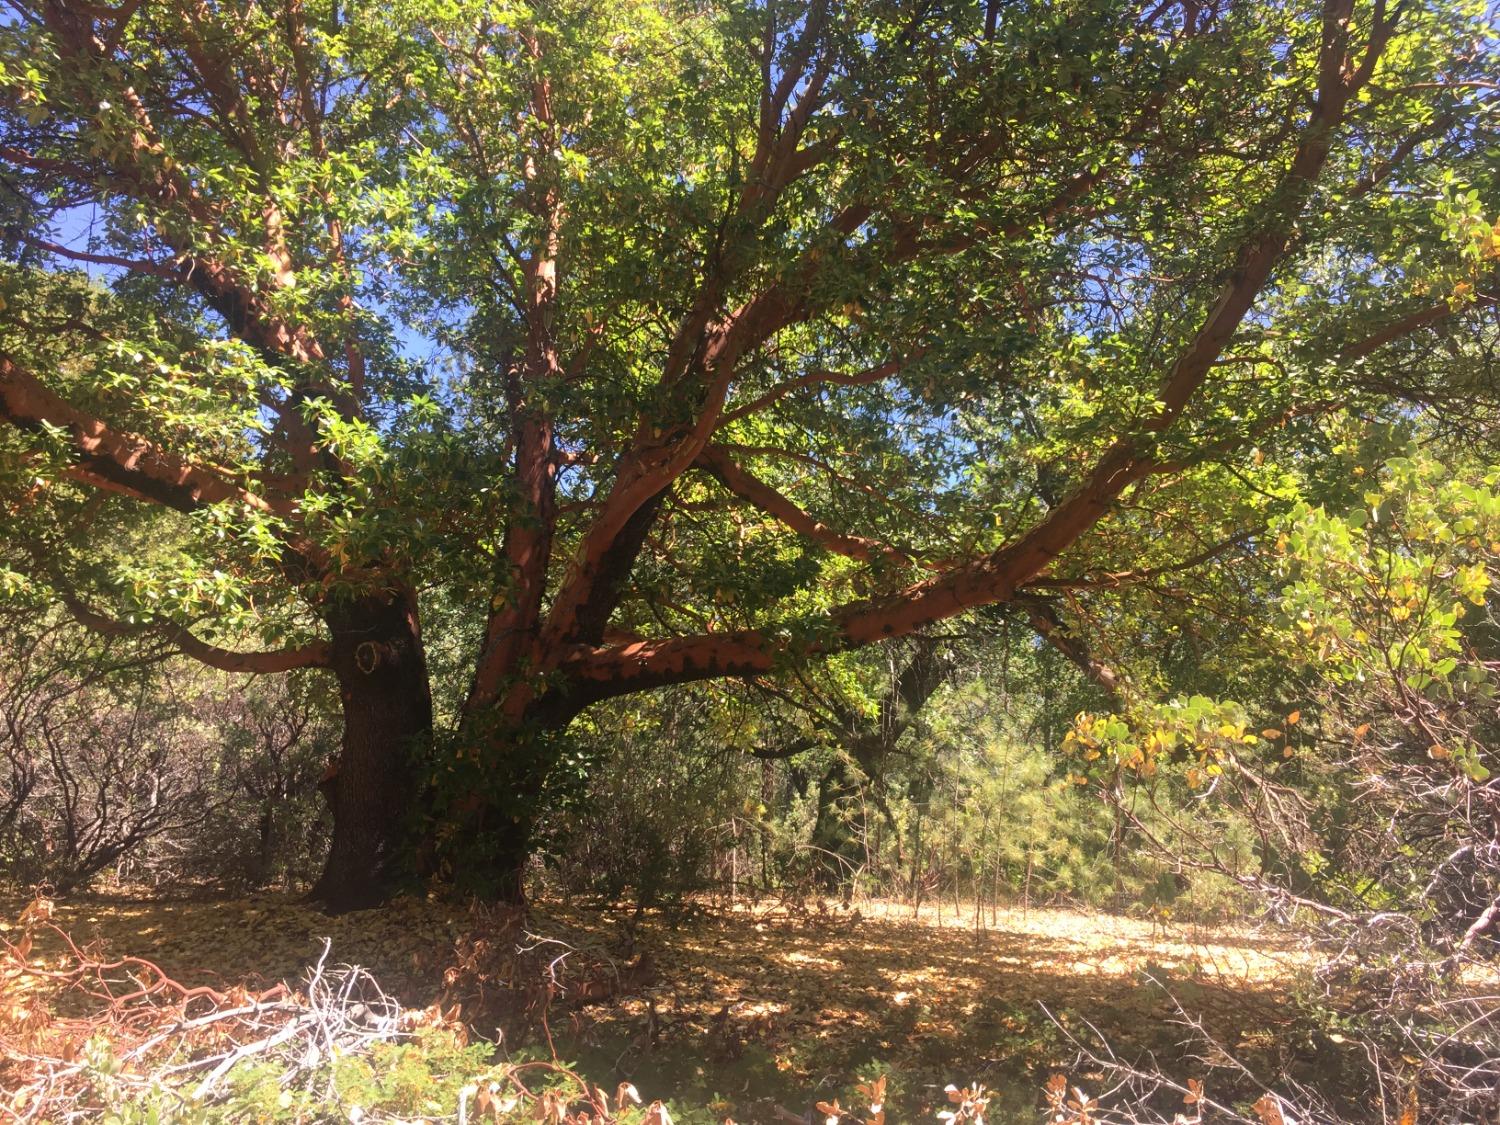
x=388, y=722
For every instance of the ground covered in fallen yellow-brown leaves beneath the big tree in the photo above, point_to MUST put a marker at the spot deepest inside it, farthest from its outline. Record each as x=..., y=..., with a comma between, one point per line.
x=775, y=1003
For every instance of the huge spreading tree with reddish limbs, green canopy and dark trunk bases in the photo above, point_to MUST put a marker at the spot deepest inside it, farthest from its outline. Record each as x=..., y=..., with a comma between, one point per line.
x=659, y=341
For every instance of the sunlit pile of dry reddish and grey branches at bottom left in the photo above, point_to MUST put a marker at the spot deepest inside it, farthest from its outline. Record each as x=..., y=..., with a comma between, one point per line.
x=83, y=1034
